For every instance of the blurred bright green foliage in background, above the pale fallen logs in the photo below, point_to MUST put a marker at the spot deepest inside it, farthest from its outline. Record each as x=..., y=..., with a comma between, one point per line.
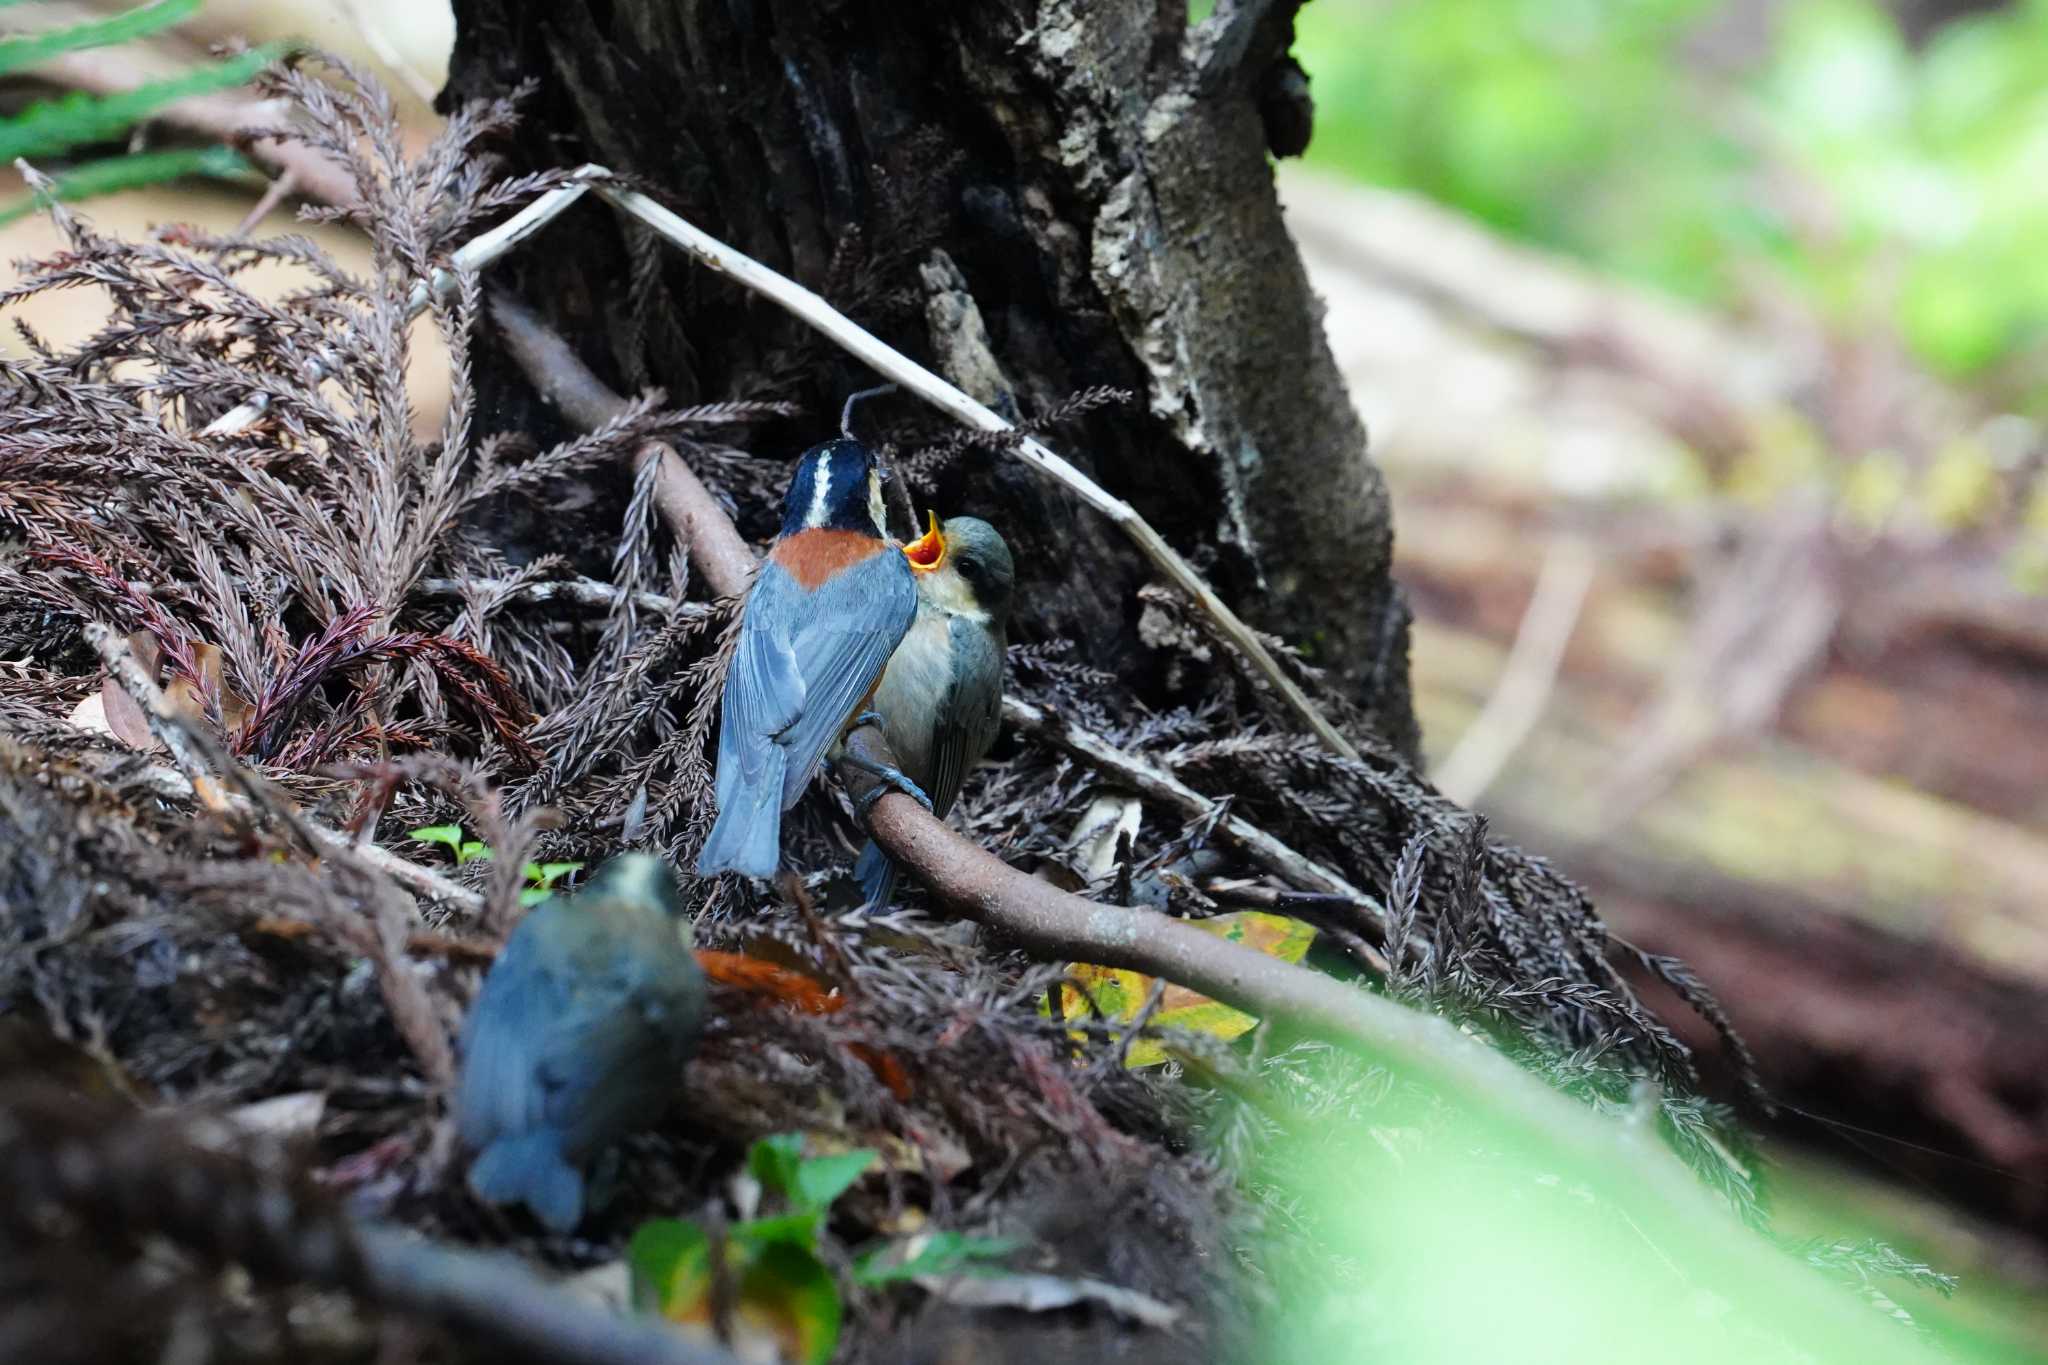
x=1670, y=144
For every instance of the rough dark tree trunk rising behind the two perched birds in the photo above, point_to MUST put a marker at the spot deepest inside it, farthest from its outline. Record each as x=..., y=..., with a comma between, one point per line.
x=1035, y=197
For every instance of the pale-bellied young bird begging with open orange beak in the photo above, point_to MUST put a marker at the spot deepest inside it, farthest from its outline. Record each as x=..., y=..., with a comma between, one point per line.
x=941, y=699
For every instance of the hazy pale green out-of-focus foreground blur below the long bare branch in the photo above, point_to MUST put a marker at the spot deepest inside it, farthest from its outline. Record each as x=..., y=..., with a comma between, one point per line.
x=1467, y=1241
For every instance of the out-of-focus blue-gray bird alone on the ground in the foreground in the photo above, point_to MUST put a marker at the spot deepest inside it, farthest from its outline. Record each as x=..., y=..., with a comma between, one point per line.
x=579, y=1037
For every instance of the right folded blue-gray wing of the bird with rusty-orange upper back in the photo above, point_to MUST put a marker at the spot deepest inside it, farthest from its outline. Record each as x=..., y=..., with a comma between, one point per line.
x=853, y=625
